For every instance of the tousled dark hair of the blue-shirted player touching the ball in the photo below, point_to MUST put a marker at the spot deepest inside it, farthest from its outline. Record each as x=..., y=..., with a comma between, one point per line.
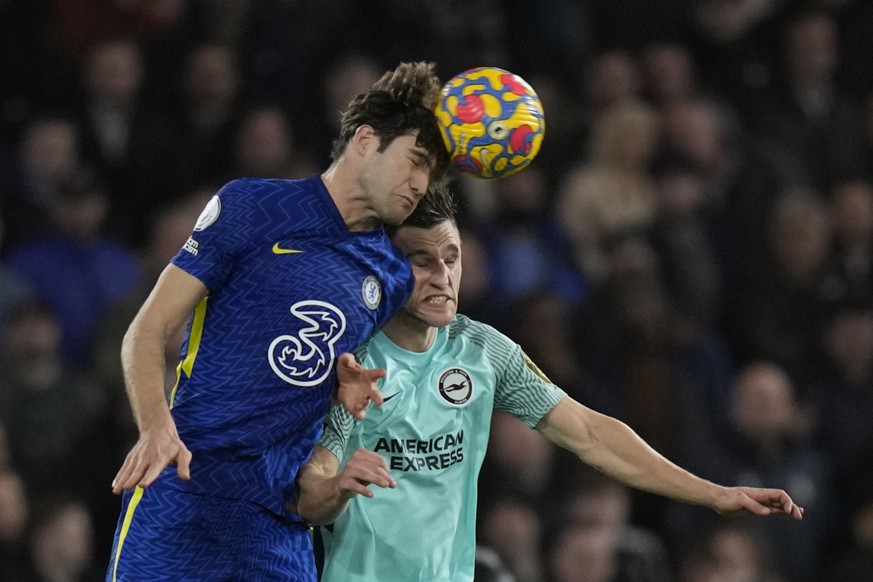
x=399, y=103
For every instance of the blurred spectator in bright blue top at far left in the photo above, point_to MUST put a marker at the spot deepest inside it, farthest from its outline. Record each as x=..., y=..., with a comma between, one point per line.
x=76, y=269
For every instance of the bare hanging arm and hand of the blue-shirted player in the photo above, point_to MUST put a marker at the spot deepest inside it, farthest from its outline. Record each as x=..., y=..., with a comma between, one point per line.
x=167, y=308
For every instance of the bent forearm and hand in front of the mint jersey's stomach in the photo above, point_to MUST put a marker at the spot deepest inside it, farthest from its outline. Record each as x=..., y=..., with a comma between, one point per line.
x=324, y=493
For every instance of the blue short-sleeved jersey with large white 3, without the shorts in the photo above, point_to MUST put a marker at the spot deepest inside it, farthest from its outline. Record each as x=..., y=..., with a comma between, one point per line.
x=290, y=288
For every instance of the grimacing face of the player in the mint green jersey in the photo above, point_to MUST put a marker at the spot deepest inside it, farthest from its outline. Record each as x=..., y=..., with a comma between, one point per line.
x=435, y=255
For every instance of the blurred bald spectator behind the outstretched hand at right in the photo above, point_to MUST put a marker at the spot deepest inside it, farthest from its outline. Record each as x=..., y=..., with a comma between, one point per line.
x=770, y=440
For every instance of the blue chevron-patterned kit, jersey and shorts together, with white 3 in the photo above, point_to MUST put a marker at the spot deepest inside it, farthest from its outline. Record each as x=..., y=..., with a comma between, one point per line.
x=290, y=288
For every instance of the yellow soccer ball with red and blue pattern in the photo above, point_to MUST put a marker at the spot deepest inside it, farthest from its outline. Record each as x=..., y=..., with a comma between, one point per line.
x=491, y=121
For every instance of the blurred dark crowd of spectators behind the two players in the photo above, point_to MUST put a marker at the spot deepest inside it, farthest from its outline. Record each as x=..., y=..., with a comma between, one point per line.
x=691, y=252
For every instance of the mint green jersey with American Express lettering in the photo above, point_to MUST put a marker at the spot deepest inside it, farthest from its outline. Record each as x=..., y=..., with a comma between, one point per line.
x=433, y=432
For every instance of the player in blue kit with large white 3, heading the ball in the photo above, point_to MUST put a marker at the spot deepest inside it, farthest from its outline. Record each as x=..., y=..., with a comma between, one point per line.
x=277, y=279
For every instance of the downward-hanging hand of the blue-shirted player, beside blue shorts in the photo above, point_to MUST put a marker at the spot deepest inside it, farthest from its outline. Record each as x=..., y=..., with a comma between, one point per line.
x=151, y=454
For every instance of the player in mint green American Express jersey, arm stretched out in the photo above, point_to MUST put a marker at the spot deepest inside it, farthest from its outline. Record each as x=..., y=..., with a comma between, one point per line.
x=426, y=443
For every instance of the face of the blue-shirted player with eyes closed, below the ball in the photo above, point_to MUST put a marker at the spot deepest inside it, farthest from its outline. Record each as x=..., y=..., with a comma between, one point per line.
x=396, y=178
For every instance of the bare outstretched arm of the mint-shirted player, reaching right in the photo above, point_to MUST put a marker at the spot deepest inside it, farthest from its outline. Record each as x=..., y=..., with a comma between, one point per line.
x=613, y=448
